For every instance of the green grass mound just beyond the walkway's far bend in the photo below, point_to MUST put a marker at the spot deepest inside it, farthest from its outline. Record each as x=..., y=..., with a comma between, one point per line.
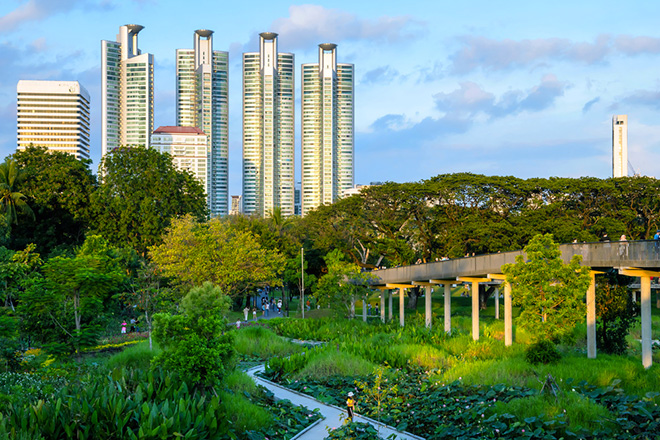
x=261, y=342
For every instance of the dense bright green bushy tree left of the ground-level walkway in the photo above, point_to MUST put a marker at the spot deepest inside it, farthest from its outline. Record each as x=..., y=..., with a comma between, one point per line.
x=195, y=343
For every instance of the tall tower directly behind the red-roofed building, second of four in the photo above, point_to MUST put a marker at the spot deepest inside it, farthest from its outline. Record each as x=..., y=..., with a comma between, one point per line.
x=202, y=102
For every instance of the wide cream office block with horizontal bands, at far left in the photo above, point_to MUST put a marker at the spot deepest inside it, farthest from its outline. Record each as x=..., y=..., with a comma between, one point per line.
x=55, y=115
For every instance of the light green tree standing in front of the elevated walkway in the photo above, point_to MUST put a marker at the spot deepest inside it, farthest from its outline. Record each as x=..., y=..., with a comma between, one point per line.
x=550, y=293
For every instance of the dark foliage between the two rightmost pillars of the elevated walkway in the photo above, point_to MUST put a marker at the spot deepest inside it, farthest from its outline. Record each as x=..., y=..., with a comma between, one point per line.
x=616, y=314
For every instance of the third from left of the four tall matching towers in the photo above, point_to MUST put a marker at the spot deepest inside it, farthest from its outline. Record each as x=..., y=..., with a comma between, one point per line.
x=268, y=129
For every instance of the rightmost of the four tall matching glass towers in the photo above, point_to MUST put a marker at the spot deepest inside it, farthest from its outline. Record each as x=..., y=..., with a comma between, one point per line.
x=327, y=129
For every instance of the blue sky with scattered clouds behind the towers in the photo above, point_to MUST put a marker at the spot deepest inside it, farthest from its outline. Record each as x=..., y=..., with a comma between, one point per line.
x=517, y=88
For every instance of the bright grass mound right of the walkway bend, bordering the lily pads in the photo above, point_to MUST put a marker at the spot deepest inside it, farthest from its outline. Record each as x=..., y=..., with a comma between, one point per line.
x=335, y=363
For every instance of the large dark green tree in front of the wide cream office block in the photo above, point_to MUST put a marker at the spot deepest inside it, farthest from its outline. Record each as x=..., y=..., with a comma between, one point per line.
x=58, y=187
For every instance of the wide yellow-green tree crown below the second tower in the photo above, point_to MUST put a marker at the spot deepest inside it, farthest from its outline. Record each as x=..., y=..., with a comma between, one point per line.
x=231, y=258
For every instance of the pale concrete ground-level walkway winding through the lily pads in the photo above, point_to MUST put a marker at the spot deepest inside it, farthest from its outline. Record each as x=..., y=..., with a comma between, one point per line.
x=331, y=413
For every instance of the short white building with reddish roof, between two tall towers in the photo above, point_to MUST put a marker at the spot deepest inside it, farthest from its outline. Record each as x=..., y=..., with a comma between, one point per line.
x=188, y=147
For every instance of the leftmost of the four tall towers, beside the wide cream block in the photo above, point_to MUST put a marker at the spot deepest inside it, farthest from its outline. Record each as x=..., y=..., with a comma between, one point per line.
x=128, y=91
